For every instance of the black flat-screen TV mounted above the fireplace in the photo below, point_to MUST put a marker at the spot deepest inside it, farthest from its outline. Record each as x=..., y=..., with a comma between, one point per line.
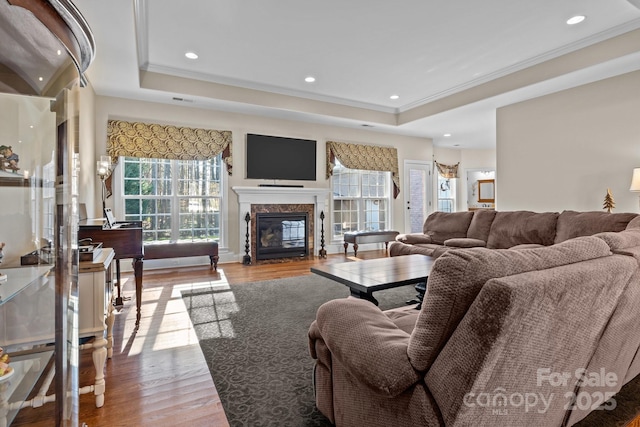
x=274, y=157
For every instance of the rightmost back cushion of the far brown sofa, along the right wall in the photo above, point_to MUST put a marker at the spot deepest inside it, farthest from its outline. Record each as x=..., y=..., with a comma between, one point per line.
x=575, y=224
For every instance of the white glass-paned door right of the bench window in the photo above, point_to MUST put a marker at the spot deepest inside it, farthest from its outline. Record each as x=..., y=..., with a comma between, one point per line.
x=417, y=194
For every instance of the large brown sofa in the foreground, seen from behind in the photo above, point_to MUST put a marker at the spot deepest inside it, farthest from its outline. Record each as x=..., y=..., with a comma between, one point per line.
x=505, y=337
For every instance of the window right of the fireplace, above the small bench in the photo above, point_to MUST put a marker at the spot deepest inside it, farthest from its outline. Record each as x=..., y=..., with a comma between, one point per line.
x=361, y=200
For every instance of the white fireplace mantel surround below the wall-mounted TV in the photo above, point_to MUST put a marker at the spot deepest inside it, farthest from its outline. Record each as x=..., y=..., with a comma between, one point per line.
x=248, y=196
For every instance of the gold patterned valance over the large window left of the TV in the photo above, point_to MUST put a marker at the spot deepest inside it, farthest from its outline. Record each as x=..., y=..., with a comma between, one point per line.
x=148, y=140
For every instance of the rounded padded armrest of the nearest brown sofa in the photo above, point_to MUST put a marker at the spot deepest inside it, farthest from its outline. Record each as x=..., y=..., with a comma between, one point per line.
x=368, y=344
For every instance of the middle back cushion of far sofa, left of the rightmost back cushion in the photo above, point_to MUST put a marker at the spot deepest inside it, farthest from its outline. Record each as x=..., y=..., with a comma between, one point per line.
x=510, y=228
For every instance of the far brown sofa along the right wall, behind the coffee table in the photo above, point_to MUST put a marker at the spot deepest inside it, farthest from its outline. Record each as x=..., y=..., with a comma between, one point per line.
x=505, y=229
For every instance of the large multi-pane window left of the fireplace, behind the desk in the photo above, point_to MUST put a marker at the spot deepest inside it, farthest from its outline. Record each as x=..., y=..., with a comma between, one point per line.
x=176, y=200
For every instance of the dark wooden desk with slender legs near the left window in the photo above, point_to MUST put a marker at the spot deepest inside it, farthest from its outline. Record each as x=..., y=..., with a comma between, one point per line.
x=126, y=241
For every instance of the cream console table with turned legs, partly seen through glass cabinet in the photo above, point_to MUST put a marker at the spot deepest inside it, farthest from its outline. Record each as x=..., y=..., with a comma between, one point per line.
x=27, y=305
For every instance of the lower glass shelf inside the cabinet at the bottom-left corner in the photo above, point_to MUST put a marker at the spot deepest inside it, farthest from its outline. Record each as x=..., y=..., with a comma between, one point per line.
x=13, y=391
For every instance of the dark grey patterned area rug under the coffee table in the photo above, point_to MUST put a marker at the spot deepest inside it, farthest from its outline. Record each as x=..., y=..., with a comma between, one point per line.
x=254, y=338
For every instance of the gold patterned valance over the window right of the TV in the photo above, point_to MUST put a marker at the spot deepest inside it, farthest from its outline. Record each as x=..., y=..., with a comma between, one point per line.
x=365, y=157
